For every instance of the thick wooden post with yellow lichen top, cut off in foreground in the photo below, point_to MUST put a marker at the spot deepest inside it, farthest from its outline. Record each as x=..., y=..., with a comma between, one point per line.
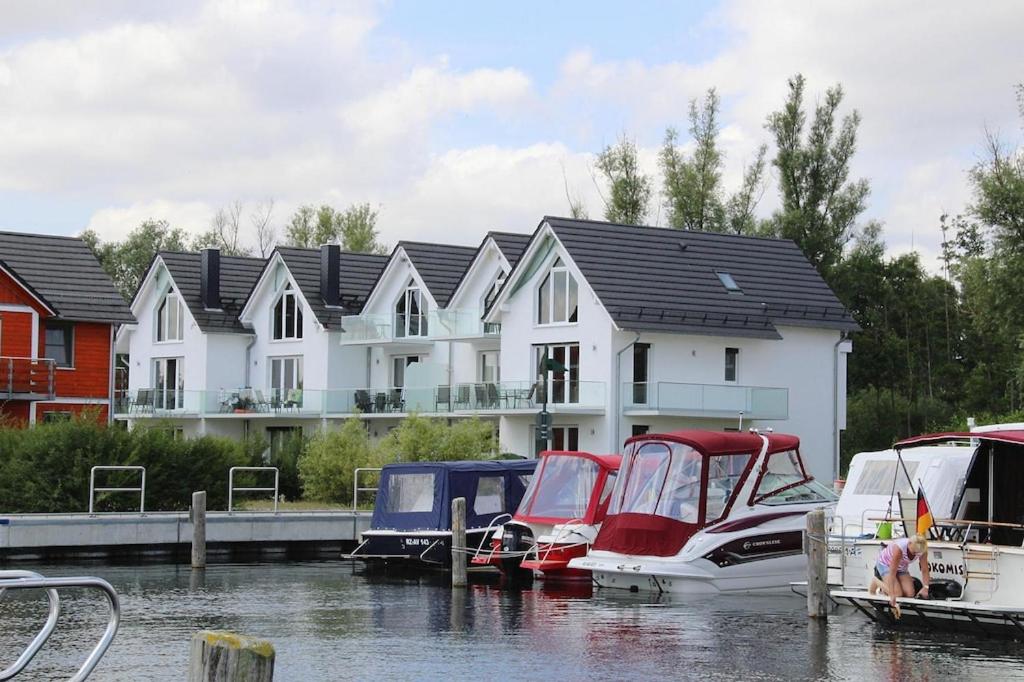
x=225, y=657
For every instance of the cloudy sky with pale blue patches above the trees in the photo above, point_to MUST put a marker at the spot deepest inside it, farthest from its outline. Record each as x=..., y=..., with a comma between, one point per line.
x=460, y=117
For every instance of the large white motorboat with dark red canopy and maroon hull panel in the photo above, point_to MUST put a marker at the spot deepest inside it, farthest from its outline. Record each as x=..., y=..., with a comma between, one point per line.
x=707, y=513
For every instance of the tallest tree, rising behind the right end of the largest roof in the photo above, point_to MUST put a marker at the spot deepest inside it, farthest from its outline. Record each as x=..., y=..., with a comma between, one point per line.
x=821, y=204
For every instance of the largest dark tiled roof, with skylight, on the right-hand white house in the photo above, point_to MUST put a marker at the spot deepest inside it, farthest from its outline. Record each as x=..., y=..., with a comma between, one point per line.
x=661, y=280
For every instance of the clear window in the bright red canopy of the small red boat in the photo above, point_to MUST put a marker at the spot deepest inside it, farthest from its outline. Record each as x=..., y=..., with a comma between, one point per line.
x=563, y=490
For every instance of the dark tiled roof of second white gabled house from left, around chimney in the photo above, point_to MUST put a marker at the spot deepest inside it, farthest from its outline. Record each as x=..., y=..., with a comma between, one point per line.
x=359, y=273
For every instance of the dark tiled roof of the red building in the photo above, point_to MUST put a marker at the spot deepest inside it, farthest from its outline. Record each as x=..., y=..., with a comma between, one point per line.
x=66, y=275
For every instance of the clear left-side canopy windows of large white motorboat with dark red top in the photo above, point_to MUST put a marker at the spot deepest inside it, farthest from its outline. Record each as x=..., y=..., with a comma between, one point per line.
x=663, y=480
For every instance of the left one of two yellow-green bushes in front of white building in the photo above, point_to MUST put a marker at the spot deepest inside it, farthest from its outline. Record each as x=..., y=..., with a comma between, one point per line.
x=330, y=460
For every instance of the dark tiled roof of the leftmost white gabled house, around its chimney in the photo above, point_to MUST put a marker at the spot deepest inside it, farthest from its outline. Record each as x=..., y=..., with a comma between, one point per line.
x=238, y=276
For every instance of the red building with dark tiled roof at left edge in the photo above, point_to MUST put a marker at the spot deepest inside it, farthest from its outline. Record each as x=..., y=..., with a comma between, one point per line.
x=59, y=313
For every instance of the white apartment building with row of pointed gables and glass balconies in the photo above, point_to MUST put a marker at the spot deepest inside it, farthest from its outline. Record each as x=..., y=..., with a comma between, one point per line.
x=648, y=329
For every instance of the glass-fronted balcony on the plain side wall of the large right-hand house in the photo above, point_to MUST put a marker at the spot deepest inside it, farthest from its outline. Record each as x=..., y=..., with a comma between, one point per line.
x=715, y=401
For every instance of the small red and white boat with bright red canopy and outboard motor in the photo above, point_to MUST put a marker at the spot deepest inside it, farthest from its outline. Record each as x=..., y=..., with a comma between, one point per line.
x=559, y=519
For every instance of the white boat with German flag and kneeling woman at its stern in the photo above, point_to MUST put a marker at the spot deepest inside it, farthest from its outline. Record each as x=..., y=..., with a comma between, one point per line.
x=978, y=549
